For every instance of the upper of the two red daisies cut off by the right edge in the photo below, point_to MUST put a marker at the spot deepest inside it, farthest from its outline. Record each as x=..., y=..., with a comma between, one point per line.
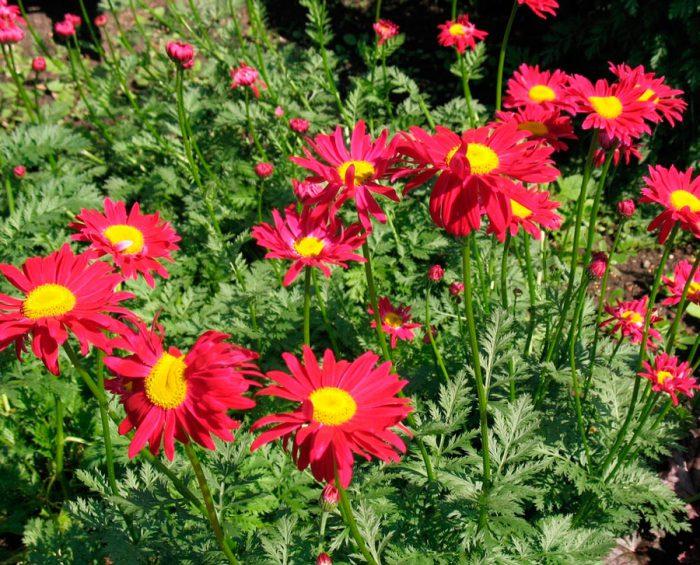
x=679, y=194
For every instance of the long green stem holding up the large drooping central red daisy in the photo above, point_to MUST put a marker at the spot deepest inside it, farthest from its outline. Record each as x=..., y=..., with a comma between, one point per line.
x=476, y=363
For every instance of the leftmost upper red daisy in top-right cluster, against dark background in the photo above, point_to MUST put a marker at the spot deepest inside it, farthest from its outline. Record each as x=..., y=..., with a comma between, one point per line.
x=532, y=87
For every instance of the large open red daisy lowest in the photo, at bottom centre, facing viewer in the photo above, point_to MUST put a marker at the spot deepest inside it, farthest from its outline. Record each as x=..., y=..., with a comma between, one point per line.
x=345, y=408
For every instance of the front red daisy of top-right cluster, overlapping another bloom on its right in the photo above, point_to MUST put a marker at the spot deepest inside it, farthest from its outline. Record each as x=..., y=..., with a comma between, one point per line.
x=615, y=109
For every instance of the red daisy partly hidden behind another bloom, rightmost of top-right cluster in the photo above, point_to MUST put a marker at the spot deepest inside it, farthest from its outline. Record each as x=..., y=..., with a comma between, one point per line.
x=664, y=98
